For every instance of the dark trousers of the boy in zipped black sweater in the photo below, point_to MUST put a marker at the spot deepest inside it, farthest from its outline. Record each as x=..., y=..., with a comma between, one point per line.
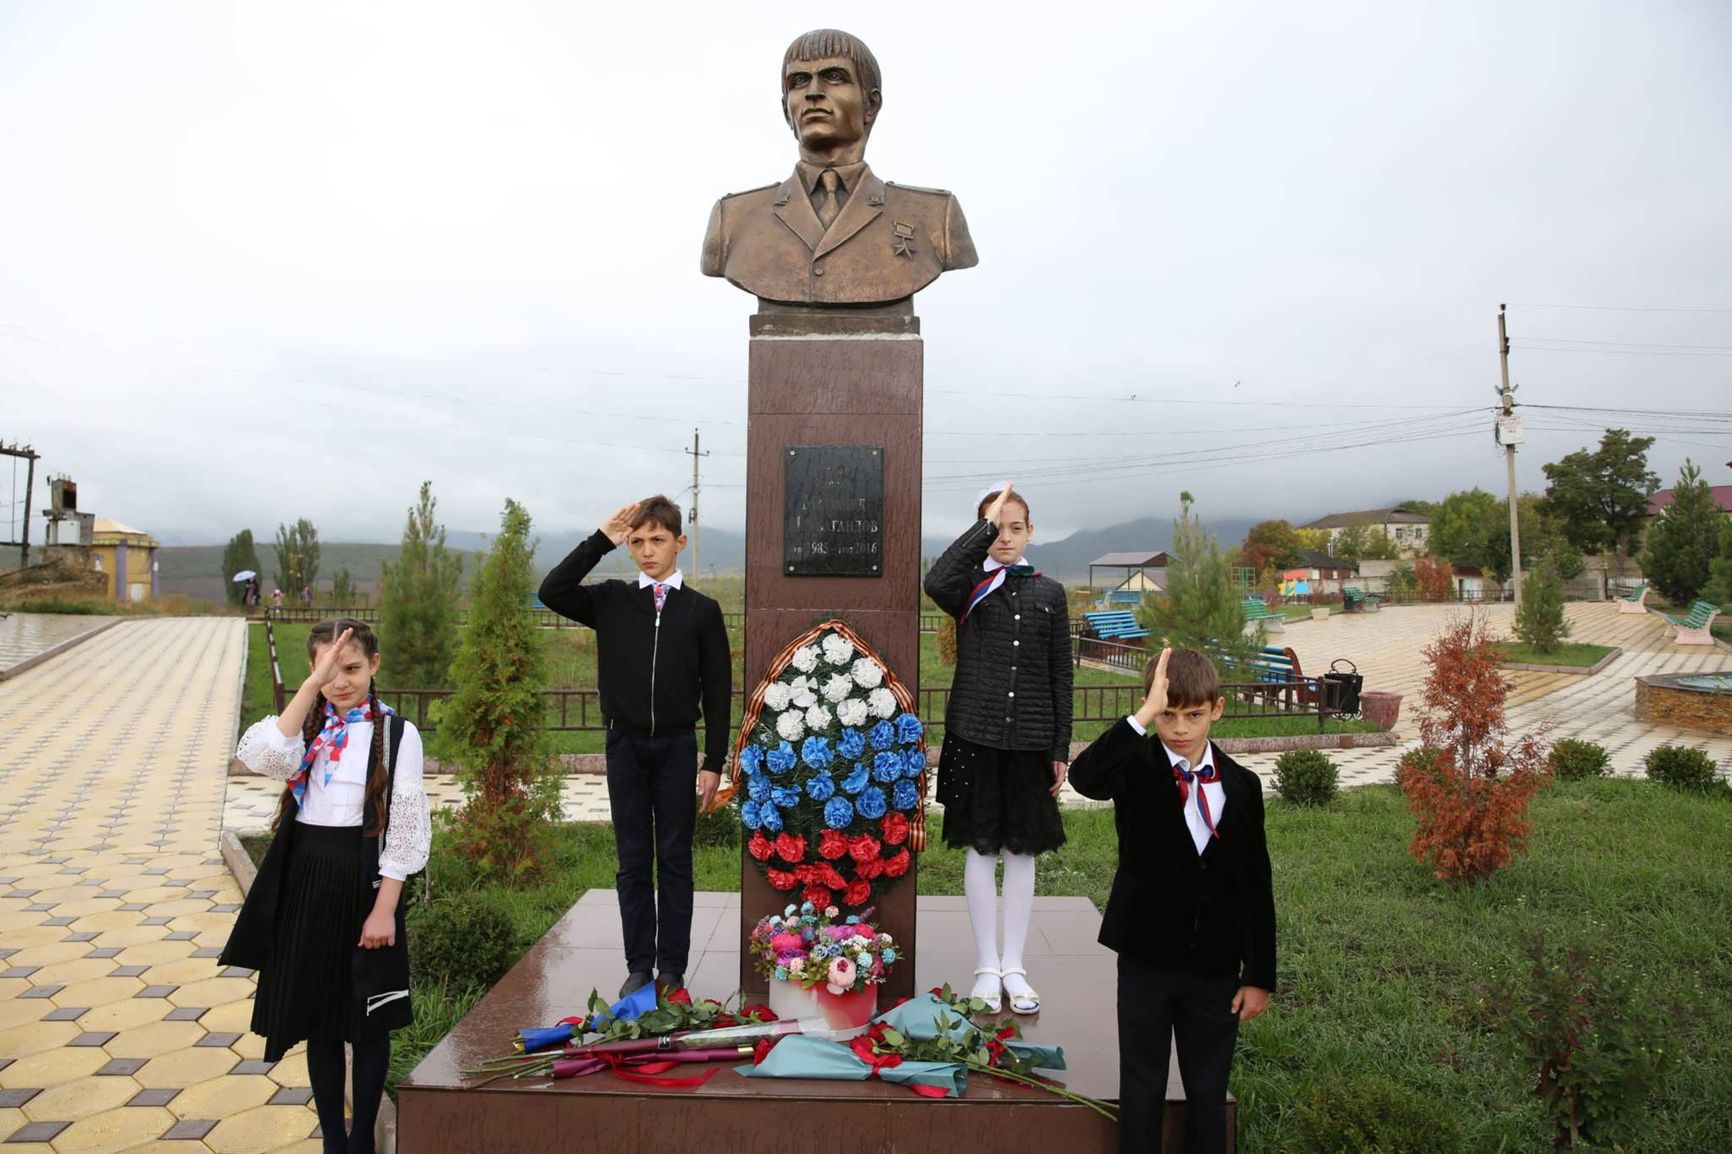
x=652, y=793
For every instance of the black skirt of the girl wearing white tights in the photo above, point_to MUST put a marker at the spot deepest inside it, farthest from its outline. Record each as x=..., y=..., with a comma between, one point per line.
x=998, y=800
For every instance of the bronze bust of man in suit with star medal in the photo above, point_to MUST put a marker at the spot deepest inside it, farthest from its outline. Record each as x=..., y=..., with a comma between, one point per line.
x=834, y=233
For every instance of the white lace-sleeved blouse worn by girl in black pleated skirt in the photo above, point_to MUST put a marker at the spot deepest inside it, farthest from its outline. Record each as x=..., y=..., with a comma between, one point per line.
x=410, y=833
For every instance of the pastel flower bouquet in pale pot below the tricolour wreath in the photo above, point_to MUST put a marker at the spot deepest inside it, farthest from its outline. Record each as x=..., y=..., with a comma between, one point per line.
x=820, y=964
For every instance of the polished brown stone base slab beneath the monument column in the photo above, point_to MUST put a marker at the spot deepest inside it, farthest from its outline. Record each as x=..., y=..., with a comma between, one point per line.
x=1076, y=976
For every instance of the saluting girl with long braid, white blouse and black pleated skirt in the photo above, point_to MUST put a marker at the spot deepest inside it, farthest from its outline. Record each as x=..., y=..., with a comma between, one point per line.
x=323, y=923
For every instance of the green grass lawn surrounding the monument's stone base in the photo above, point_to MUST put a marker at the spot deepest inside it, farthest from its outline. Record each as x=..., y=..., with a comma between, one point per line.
x=1381, y=966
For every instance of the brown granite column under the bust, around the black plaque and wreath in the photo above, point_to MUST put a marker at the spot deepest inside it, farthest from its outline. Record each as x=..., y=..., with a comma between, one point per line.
x=834, y=379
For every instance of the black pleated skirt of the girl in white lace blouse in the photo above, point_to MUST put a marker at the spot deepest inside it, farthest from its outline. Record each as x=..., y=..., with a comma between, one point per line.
x=307, y=990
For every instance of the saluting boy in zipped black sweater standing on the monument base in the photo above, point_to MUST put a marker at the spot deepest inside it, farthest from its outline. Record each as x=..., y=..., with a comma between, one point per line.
x=662, y=663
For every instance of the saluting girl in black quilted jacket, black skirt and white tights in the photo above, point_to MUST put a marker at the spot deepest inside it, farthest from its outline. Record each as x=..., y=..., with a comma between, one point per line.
x=1007, y=730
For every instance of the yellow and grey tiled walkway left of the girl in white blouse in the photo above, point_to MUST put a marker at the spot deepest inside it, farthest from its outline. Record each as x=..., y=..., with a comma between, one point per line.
x=117, y=1028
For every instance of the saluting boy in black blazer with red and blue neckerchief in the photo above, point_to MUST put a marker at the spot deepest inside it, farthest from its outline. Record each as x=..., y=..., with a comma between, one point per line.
x=1192, y=907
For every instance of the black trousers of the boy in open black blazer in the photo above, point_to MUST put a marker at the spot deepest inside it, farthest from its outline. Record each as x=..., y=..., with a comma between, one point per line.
x=1156, y=1011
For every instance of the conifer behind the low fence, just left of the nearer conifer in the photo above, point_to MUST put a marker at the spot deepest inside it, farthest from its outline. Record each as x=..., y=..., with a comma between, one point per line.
x=420, y=599
